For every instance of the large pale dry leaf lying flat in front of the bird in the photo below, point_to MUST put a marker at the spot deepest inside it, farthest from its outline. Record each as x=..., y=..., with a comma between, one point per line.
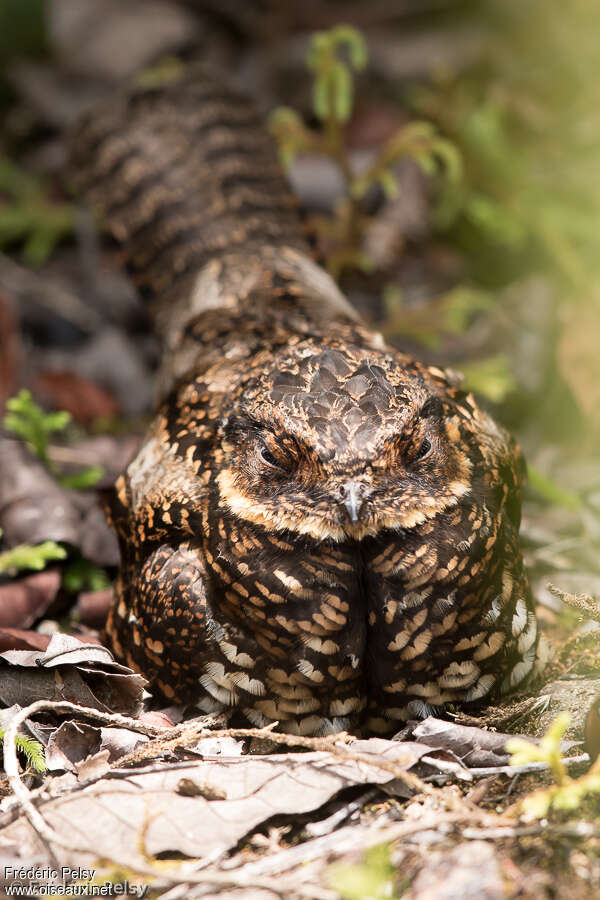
x=257, y=789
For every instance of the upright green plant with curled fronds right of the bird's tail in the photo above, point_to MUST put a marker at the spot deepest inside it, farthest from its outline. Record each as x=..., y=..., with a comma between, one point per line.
x=333, y=57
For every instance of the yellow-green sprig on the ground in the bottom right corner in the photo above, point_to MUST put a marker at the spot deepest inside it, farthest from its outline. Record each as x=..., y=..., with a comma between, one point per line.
x=566, y=793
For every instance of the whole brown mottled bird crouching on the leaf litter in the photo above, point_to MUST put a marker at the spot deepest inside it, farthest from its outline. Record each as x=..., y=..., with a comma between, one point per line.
x=318, y=530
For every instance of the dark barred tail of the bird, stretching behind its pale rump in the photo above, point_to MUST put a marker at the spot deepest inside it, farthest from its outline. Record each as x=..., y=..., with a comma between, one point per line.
x=182, y=175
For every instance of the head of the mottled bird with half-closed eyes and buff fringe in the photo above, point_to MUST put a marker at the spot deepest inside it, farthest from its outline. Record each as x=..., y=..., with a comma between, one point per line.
x=342, y=444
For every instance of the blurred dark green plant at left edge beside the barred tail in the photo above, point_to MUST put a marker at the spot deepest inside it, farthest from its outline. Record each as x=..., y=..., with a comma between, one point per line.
x=28, y=217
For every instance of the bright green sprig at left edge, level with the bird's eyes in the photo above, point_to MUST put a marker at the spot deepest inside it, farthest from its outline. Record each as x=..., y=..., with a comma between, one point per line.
x=31, y=423
